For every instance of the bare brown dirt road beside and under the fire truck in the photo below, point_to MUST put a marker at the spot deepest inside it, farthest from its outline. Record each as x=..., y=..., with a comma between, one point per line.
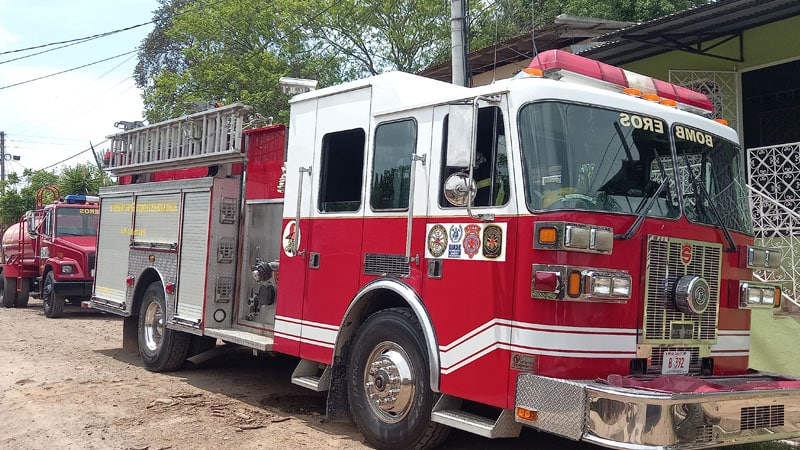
x=68, y=384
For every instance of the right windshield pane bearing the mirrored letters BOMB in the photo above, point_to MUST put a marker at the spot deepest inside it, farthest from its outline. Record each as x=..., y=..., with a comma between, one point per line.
x=716, y=170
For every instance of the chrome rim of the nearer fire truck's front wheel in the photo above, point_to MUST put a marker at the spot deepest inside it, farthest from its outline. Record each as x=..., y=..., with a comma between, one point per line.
x=389, y=382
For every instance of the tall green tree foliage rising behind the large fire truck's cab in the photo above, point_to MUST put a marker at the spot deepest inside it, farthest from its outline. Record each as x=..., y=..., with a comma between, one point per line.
x=236, y=50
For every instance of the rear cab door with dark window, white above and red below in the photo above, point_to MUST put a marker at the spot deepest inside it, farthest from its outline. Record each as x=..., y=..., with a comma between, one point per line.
x=331, y=234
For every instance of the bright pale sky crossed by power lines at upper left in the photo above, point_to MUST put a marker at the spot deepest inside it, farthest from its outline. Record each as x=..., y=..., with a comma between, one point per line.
x=49, y=120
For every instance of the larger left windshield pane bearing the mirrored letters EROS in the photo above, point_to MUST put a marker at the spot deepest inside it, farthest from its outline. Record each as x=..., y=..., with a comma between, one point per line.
x=588, y=158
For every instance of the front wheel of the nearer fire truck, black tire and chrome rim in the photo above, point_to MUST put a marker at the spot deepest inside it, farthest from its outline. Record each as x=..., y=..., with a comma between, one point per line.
x=392, y=341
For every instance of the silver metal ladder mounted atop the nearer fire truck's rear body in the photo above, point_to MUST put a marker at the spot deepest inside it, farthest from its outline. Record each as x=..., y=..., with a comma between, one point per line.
x=206, y=138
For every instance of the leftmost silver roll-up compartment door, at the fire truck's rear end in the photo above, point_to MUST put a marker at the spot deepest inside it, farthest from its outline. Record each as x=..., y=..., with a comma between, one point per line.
x=113, y=246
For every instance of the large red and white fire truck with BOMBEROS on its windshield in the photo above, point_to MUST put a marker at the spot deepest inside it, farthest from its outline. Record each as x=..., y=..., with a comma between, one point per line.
x=569, y=250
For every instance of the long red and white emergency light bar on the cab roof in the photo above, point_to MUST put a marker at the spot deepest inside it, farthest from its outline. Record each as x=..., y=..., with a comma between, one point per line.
x=551, y=60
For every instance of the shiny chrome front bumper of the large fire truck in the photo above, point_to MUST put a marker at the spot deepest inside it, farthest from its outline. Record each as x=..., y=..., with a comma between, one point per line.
x=632, y=418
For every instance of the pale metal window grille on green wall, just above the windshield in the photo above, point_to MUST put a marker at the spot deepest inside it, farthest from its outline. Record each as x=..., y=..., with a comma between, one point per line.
x=720, y=87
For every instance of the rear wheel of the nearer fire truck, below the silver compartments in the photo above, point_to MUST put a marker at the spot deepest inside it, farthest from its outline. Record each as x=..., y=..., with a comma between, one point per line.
x=162, y=349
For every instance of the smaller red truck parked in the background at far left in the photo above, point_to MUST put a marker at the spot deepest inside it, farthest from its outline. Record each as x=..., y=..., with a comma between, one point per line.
x=50, y=252
